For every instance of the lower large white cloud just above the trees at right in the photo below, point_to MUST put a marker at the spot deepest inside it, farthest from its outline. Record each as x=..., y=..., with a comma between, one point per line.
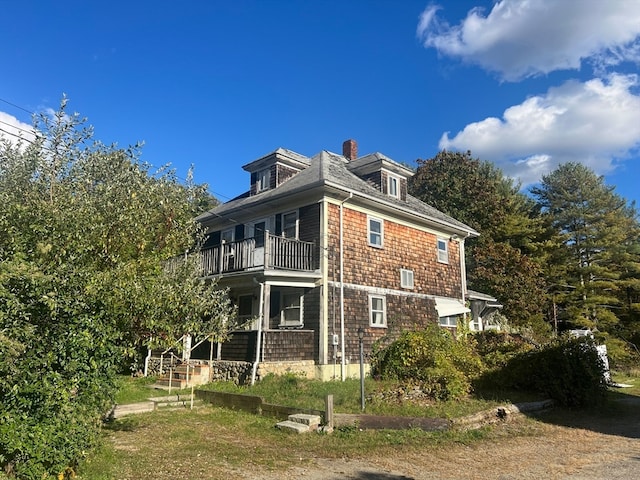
x=593, y=123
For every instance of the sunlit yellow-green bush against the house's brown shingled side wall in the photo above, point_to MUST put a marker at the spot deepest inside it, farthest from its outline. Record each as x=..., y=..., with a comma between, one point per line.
x=430, y=359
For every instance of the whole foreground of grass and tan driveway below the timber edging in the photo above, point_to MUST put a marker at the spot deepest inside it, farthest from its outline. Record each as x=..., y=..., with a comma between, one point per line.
x=214, y=443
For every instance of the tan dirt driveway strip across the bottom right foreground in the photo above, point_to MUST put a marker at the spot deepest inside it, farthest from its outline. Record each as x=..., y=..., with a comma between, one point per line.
x=562, y=444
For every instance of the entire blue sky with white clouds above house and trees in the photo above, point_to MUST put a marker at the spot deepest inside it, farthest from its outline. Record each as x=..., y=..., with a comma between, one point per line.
x=526, y=84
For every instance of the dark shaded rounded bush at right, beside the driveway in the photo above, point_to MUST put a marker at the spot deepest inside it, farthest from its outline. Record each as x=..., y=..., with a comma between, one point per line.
x=568, y=370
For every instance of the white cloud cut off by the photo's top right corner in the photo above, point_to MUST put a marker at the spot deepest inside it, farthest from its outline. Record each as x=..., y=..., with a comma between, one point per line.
x=521, y=38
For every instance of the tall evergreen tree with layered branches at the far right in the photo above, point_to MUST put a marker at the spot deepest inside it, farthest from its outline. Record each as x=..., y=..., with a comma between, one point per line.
x=597, y=259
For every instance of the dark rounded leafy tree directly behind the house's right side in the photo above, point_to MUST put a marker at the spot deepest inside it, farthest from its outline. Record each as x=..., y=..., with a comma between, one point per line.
x=506, y=259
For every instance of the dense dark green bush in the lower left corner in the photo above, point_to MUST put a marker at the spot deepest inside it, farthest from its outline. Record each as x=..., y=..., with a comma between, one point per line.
x=57, y=366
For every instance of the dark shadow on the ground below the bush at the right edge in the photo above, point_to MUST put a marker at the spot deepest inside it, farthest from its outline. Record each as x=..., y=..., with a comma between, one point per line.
x=619, y=415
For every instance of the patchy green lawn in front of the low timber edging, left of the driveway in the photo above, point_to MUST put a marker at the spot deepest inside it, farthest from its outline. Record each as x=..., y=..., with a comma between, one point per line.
x=211, y=443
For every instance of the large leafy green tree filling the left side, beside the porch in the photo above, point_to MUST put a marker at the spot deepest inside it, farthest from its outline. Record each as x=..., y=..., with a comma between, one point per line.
x=86, y=232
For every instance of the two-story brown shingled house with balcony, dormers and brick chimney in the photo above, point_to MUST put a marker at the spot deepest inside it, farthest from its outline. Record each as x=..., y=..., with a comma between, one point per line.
x=320, y=248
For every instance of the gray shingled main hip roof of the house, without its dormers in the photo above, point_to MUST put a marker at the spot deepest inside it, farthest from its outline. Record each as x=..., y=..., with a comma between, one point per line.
x=331, y=170
